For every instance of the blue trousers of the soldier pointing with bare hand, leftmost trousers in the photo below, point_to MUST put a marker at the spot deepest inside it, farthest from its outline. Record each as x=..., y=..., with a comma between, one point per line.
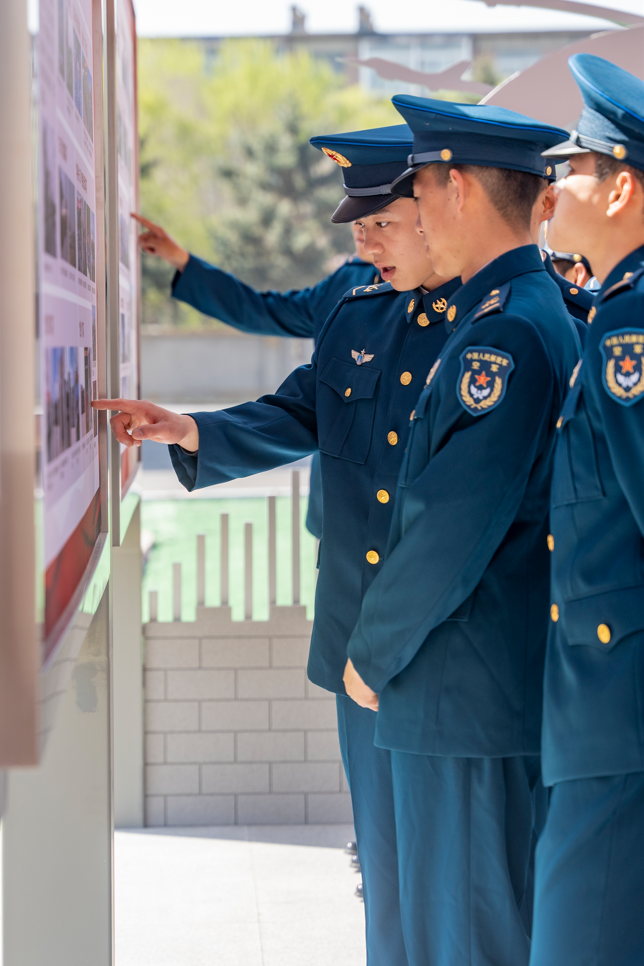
x=368, y=771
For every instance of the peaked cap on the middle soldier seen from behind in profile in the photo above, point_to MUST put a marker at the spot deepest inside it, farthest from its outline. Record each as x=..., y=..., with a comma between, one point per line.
x=473, y=134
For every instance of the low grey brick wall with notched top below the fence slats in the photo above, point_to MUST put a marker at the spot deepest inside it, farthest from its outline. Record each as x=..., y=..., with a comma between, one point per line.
x=235, y=733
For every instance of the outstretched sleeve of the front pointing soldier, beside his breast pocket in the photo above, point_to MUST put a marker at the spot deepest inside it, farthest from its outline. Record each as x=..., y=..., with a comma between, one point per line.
x=253, y=437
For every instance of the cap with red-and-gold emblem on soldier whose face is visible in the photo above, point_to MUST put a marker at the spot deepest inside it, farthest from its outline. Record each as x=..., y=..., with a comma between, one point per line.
x=370, y=161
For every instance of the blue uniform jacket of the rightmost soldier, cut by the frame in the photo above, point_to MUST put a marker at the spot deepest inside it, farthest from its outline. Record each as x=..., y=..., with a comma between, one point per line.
x=594, y=683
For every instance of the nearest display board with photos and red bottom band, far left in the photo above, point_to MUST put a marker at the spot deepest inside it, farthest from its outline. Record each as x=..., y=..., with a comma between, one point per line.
x=70, y=237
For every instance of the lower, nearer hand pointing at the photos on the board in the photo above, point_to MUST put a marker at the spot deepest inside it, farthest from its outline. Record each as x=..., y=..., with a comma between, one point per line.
x=138, y=419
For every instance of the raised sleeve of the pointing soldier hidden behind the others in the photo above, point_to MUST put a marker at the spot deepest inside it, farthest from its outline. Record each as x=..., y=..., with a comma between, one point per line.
x=222, y=296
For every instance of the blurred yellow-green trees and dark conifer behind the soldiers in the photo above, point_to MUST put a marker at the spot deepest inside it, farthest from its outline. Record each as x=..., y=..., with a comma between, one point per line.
x=226, y=166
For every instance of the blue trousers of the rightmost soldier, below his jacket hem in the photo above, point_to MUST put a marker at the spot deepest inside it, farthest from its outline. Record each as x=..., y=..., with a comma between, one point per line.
x=589, y=895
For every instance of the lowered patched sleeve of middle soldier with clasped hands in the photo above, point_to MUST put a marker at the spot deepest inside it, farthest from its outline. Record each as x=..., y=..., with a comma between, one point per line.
x=458, y=510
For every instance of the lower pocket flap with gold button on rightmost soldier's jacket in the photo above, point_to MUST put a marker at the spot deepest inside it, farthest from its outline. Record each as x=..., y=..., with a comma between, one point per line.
x=603, y=620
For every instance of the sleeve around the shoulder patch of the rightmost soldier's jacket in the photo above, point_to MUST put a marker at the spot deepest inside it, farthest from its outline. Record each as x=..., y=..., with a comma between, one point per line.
x=623, y=424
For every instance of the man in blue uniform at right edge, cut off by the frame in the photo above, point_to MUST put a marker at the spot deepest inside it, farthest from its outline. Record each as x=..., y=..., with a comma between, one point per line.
x=590, y=861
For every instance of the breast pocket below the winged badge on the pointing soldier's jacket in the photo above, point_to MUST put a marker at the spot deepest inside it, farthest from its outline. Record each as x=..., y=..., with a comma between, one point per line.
x=346, y=410
